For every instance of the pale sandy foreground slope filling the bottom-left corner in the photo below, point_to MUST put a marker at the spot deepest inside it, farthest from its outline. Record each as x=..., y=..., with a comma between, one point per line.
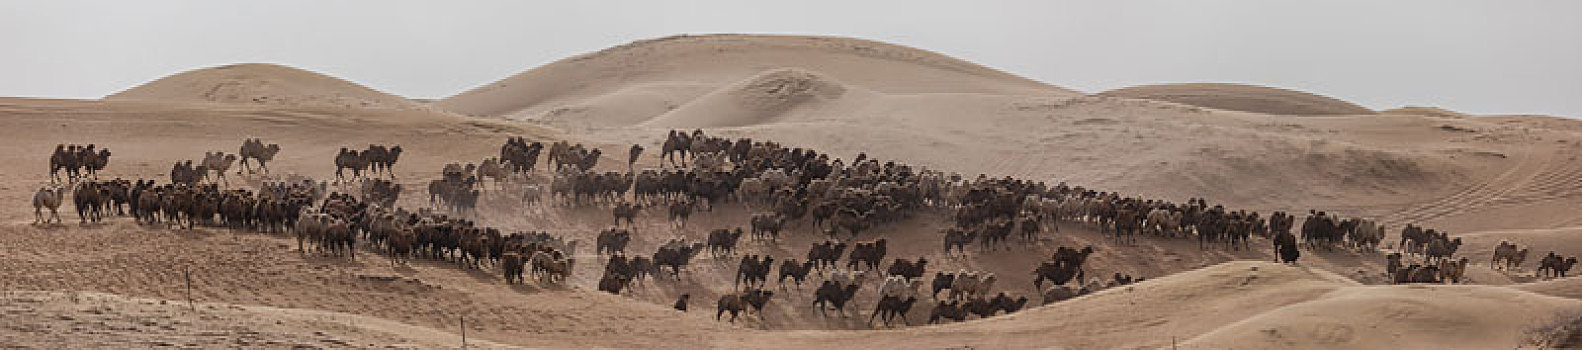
x=99, y=321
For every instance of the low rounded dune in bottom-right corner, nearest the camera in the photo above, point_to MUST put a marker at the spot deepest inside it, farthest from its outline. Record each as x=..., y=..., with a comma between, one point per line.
x=1388, y=318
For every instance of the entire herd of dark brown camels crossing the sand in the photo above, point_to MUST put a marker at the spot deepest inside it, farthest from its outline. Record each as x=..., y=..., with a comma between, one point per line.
x=841, y=199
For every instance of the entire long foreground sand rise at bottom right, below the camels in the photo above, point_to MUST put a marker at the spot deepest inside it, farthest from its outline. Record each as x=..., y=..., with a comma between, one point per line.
x=1260, y=306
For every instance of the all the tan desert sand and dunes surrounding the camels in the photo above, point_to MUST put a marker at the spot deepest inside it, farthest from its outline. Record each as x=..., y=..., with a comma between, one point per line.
x=119, y=284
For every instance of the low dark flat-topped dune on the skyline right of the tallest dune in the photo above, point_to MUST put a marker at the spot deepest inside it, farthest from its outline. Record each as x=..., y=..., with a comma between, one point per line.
x=1241, y=97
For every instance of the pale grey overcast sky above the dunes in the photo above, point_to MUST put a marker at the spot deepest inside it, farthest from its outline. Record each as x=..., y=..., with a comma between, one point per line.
x=1510, y=56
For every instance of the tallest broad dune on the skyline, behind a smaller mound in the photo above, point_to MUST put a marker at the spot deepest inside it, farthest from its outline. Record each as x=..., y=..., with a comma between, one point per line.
x=719, y=61
